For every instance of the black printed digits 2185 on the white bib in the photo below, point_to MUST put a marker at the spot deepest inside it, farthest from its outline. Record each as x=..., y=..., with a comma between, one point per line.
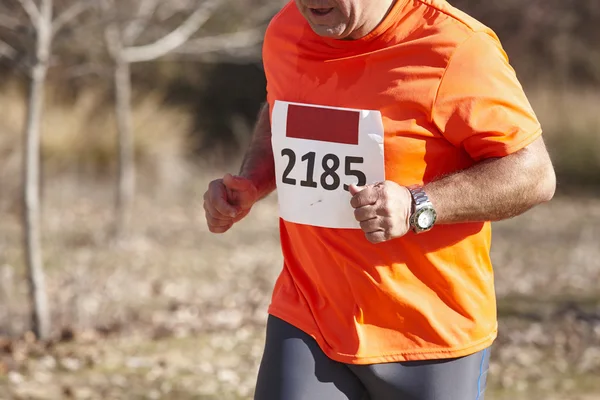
x=330, y=178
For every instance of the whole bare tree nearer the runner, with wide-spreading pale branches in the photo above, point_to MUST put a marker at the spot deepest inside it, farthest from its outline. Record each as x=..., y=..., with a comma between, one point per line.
x=120, y=39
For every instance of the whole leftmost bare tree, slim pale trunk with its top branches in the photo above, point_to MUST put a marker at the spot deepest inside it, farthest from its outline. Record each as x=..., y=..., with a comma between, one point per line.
x=40, y=19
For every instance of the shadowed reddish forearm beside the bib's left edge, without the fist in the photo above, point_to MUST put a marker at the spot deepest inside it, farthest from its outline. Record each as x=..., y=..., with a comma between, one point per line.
x=258, y=164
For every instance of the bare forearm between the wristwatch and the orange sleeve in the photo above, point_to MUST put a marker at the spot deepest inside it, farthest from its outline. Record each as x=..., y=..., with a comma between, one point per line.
x=495, y=189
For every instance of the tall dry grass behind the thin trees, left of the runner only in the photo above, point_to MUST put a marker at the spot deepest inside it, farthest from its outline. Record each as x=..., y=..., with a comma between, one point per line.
x=80, y=138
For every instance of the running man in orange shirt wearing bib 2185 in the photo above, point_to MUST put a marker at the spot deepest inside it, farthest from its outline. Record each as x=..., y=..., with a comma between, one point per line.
x=395, y=131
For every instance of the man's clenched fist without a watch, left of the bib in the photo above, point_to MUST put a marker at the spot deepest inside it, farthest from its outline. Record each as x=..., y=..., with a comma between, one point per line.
x=227, y=201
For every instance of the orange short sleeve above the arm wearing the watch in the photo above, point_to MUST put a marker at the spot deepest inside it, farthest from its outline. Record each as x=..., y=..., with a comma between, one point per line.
x=480, y=105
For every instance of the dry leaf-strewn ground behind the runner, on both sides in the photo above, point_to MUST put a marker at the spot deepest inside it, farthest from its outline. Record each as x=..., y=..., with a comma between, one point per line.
x=175, y=312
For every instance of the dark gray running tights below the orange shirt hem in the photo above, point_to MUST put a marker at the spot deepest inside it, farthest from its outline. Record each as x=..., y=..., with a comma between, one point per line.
x=294, y=368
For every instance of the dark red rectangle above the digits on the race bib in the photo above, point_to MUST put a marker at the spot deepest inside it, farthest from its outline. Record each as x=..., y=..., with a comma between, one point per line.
x=323, y=124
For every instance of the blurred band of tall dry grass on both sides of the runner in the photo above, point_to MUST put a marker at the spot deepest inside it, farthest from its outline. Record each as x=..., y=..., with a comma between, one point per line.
x=80, y=138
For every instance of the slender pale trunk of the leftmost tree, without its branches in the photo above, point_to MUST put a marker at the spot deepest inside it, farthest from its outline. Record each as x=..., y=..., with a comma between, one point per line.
x=31, y=185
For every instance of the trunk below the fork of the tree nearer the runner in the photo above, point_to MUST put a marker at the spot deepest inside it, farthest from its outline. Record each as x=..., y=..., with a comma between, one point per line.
x=126, y=161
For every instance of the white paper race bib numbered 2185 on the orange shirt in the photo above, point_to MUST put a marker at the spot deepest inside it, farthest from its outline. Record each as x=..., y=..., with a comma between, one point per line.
x=318, y=152
